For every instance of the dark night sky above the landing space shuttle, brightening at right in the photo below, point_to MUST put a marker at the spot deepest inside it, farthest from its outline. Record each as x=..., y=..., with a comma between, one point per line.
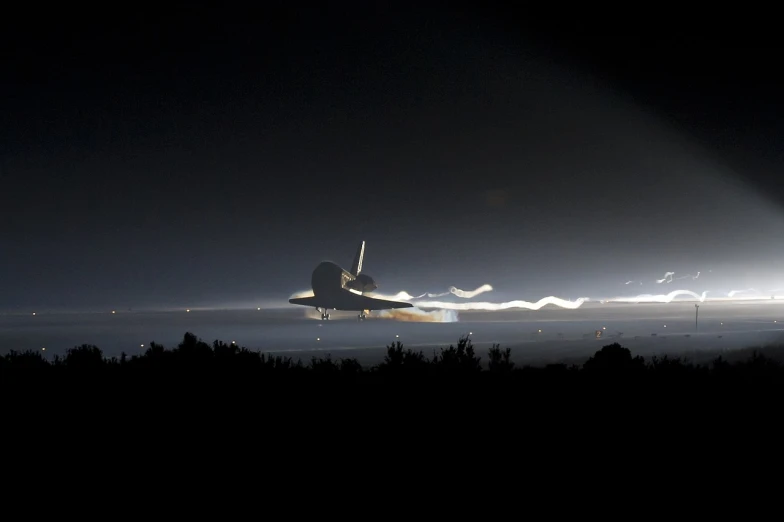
x=205, y=156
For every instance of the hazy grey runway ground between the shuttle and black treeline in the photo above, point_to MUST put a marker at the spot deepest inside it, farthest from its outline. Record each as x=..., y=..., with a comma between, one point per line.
x=535, y=337
